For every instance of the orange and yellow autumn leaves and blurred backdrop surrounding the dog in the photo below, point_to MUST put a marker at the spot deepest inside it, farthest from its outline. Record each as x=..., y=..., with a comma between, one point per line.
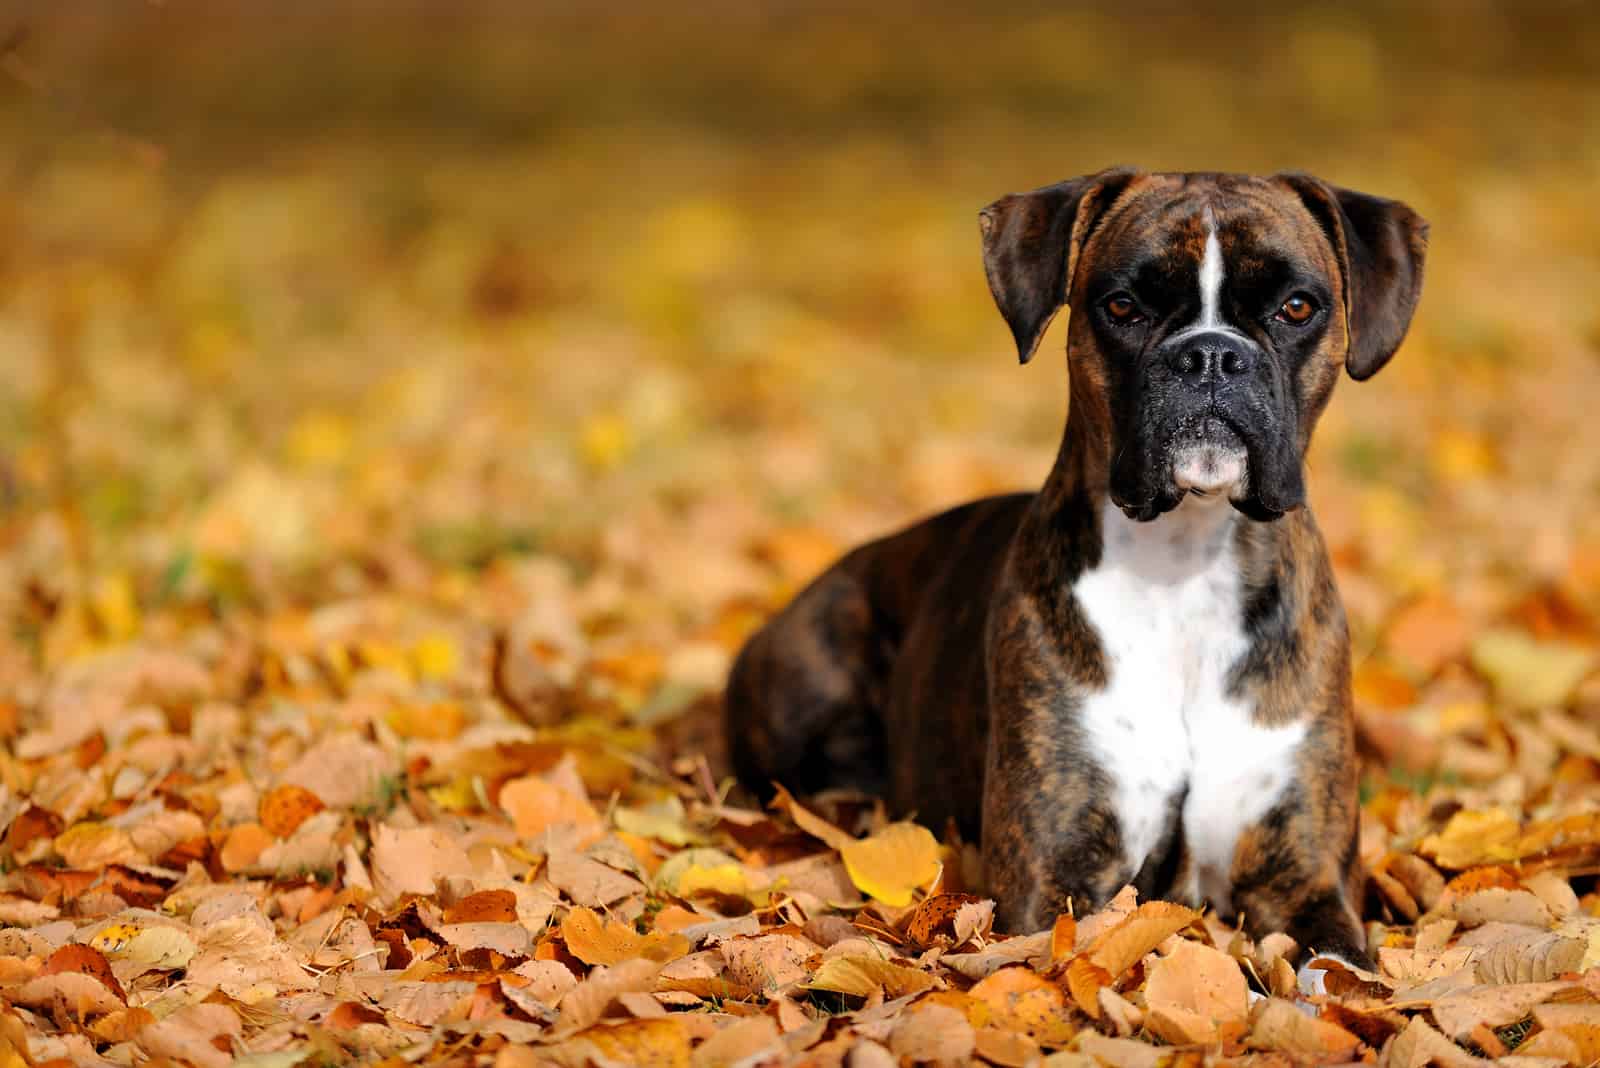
x=406, y=412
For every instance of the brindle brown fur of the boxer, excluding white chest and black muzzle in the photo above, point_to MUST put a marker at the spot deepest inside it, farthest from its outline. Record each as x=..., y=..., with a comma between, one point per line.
x=946, y=666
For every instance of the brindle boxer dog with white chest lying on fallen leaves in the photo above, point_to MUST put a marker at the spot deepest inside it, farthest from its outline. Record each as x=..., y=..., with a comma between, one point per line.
x=1140, y=674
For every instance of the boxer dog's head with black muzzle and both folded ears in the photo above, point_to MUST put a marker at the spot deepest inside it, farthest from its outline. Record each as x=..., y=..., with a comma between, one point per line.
x=1212, y=316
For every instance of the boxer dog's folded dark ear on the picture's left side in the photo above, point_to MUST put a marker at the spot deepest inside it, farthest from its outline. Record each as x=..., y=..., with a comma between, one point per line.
x=1033, y=244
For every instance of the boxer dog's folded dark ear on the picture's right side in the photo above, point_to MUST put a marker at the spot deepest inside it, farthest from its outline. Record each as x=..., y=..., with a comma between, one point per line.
x=1382, y=247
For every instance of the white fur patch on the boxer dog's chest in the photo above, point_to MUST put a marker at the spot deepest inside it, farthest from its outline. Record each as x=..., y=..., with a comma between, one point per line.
x=1167, y=604
